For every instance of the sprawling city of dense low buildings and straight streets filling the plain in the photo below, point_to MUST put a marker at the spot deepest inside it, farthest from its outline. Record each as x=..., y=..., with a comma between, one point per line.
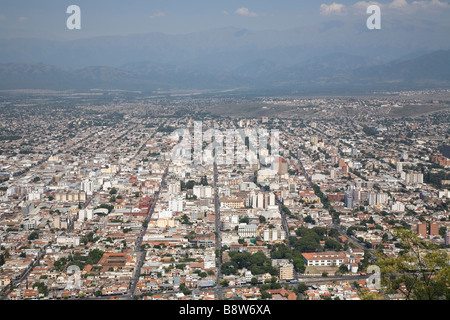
x=101, y=199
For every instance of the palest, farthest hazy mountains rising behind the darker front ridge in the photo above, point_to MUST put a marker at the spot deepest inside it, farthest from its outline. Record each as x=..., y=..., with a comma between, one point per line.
x=217, y=48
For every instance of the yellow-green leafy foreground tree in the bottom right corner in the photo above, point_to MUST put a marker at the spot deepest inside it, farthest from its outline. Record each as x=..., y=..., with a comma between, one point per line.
x=420, y=272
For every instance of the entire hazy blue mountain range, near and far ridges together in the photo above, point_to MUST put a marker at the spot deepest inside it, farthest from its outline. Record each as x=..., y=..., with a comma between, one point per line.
x=224, y=59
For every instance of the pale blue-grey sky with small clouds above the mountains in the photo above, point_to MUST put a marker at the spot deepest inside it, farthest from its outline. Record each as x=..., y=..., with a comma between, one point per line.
x=46, y=19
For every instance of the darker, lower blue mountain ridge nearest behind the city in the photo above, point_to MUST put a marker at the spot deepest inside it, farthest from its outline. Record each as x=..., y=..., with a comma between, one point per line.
x=336, y=71
